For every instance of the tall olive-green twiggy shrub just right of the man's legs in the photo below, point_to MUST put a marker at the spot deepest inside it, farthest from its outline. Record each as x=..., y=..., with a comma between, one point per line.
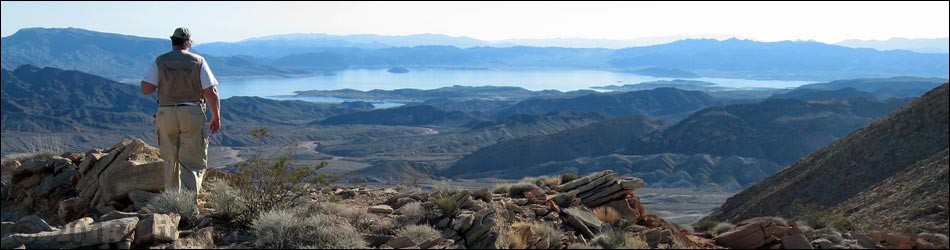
x=268, y=183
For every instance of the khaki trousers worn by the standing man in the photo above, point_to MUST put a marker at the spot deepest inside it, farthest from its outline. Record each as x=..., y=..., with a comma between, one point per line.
x=183, y=143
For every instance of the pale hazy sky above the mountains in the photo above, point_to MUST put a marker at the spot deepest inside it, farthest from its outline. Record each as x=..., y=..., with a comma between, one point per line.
x=828, y=22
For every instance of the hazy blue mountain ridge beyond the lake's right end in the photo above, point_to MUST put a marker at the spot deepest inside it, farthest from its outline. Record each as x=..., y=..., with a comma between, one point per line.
x=736, y=58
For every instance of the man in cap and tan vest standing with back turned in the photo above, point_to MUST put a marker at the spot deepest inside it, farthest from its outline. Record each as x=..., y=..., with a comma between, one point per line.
x=185, y=84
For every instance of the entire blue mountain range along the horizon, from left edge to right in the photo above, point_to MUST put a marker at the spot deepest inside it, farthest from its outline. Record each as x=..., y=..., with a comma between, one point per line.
x=126, y=58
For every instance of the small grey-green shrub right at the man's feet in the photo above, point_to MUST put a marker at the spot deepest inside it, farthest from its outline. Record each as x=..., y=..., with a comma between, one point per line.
x=183, y=203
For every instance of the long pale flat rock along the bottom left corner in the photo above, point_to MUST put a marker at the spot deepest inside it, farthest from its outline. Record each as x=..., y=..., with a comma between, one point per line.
x=96, y=234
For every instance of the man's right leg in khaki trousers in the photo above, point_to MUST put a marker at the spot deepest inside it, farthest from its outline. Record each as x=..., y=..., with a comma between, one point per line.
x=193, y=152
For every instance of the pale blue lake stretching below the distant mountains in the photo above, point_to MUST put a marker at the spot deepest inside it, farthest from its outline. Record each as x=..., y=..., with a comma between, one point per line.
x=369, y=79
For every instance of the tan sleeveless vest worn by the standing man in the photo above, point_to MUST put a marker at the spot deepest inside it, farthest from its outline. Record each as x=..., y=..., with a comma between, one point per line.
x=179, y=77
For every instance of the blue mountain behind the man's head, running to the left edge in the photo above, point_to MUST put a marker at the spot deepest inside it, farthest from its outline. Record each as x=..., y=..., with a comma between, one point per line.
x=115, y=56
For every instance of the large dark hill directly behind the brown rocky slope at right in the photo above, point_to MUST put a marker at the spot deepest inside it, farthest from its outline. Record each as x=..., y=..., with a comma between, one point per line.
x=780, y=130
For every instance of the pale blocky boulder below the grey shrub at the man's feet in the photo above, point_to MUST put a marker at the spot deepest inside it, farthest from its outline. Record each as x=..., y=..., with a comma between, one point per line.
x=157, y=228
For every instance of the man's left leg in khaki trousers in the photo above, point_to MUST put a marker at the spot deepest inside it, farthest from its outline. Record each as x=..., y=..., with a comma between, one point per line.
x=166, y=123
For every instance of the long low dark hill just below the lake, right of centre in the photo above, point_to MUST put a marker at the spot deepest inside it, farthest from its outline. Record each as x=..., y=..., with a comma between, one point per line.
x=660, y=103
